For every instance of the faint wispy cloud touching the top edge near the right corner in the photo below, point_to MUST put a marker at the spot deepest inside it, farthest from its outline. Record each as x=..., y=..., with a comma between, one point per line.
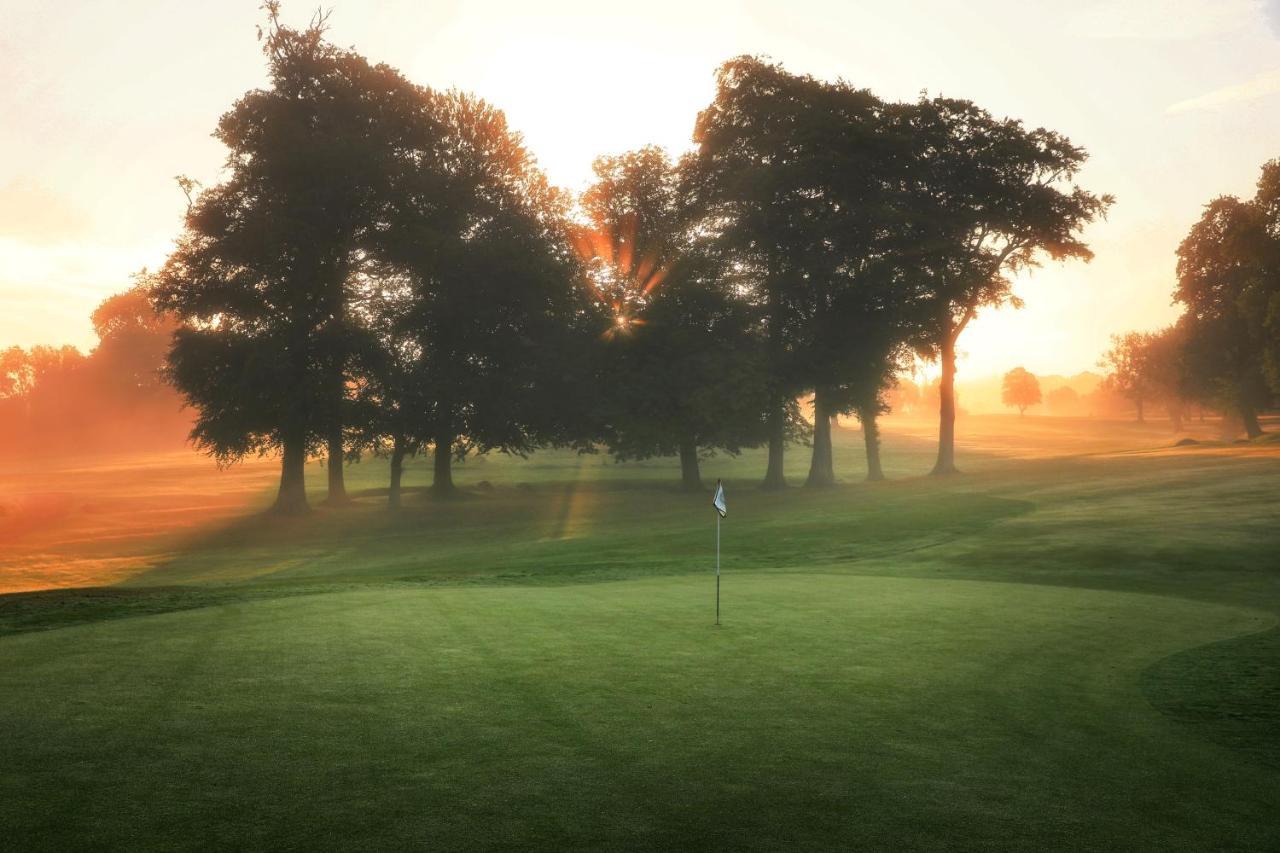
x=1171, y=20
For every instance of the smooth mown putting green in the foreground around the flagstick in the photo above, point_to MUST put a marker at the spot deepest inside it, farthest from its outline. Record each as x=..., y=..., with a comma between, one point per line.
x=830, y=711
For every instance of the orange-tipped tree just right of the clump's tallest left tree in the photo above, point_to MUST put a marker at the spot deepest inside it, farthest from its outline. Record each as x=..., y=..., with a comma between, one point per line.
x=490, y=334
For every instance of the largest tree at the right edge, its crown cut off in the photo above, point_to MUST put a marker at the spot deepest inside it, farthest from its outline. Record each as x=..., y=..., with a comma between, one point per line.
x=1227, y=267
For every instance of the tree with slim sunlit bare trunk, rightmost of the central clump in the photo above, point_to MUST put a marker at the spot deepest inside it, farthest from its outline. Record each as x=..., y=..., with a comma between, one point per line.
x=986, y=199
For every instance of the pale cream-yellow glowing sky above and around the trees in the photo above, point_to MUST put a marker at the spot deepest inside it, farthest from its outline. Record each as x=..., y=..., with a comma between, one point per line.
x=104, y=103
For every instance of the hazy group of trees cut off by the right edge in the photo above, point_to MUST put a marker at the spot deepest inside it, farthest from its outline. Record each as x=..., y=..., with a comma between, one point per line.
x=1224, y=352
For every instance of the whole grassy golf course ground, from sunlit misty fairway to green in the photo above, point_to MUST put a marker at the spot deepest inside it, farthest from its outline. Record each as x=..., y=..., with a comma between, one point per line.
x=1072, y=646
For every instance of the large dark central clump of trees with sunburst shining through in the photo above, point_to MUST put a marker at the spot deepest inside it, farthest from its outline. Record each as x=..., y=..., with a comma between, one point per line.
x=385, y=270
